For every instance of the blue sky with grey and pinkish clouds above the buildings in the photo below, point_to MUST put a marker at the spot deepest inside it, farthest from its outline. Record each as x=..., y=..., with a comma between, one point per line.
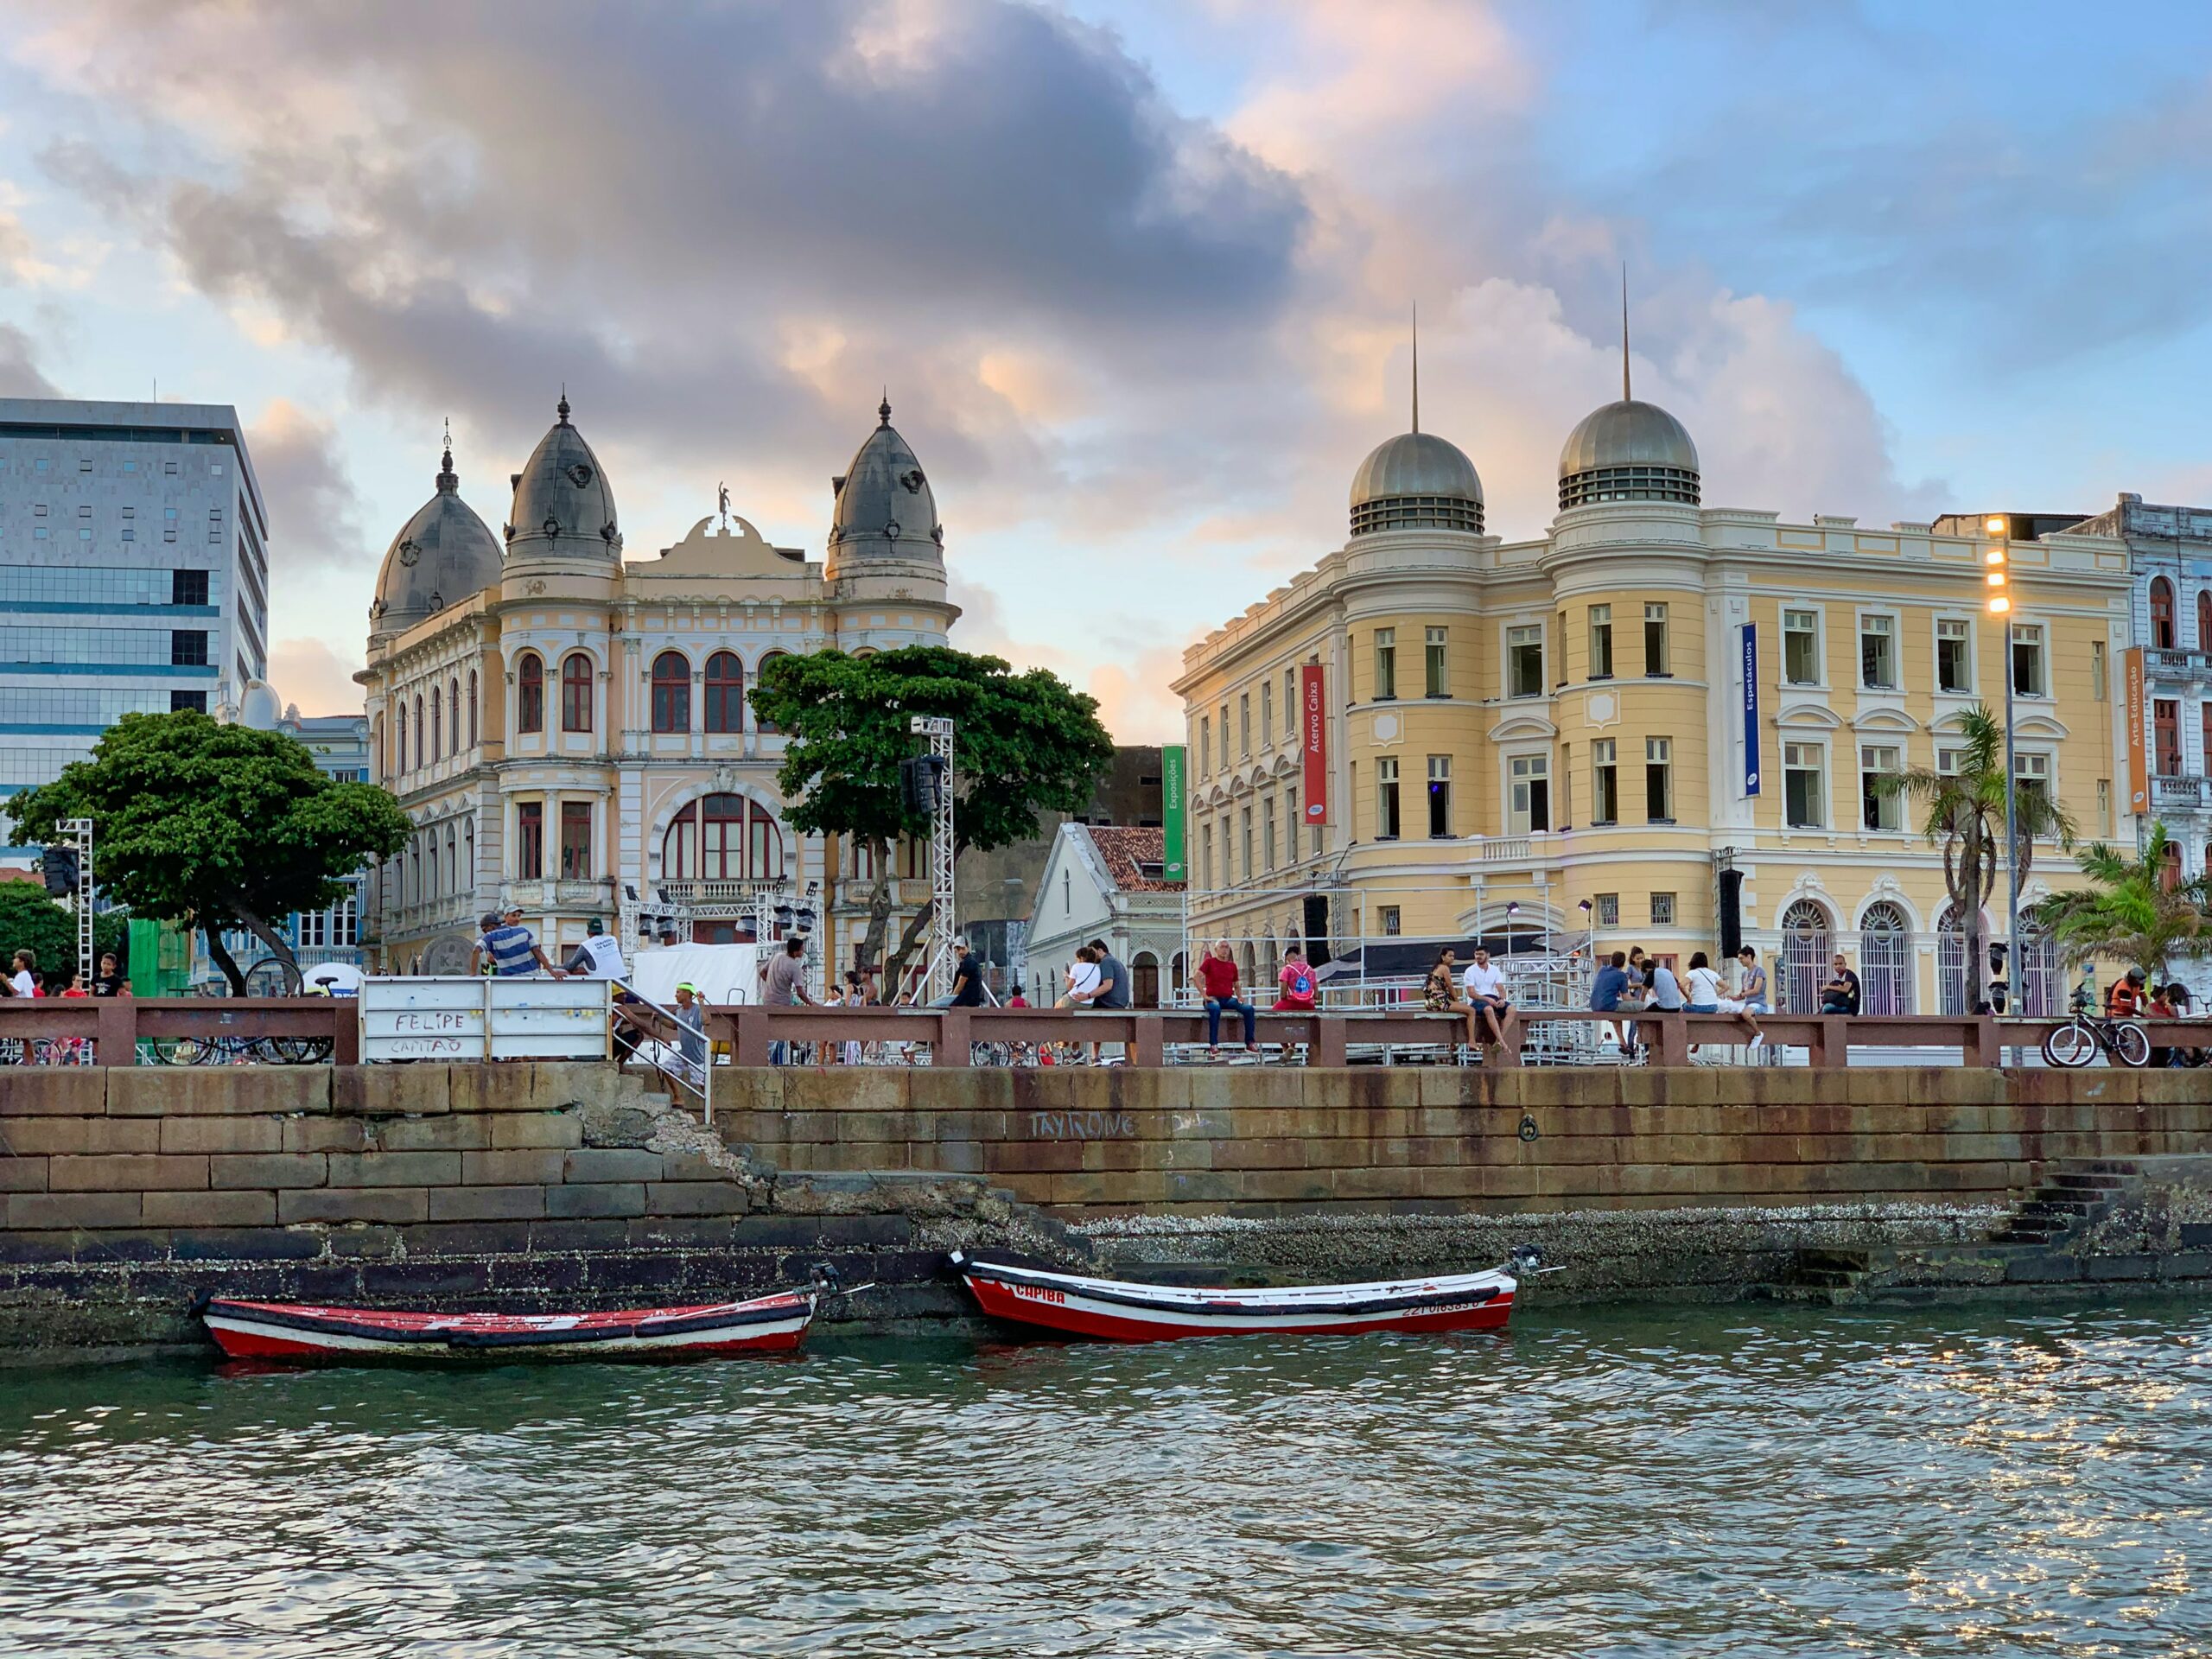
x=1136, y=273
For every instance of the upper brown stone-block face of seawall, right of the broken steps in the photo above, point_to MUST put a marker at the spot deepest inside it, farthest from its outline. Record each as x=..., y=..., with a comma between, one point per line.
x=1277, y=1142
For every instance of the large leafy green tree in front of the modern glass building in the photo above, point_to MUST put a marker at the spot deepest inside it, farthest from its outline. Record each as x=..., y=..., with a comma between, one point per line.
x=216, y=826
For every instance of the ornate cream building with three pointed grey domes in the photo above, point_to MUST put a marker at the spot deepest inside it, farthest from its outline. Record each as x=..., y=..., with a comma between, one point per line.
x=574, y=733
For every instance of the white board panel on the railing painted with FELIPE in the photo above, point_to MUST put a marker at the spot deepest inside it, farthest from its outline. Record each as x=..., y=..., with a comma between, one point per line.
x=483, y=1019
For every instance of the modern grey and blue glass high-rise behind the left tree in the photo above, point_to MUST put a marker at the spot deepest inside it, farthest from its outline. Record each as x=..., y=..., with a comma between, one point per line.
x=134, y=572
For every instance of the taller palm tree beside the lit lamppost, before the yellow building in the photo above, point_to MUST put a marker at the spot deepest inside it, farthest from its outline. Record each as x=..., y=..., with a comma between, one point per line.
x=1965, y=817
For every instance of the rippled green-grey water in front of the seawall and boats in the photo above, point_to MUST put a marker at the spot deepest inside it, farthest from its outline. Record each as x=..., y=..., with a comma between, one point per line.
x=1660, y=1483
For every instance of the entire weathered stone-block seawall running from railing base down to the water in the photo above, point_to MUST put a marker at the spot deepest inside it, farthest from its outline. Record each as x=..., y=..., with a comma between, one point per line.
x=532, y=1187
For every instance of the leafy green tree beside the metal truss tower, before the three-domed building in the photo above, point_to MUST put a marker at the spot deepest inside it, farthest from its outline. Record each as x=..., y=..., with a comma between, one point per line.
x=1023, y=744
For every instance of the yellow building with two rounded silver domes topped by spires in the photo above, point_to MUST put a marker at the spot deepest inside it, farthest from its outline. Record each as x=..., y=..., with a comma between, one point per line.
x=1556, y=738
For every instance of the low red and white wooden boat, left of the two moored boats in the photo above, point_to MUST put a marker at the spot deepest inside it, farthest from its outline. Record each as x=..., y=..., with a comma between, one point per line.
x=771, y=1324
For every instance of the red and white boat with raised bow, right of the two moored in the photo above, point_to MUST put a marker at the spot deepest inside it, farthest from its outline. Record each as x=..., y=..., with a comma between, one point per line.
x=1158, y=1313
